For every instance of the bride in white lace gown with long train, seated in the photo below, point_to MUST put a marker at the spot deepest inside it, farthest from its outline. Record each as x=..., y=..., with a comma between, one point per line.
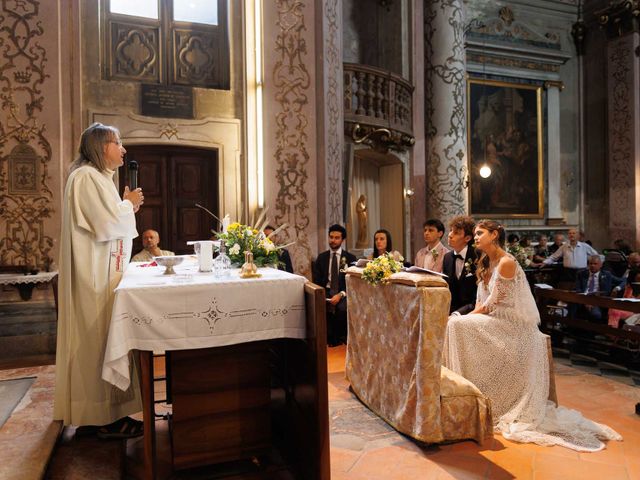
x=499, y=348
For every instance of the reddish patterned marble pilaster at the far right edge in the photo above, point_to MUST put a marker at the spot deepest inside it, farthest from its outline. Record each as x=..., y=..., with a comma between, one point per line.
x=624, y=137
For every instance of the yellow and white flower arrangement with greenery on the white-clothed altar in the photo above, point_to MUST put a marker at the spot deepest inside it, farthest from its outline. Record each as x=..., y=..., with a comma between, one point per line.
x=239, y=238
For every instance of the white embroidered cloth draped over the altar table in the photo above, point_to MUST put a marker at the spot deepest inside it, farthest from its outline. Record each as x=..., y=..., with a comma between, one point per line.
x=192, y=310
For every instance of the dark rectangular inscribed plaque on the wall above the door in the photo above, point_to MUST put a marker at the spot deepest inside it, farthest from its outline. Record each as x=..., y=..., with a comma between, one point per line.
x=166, y=101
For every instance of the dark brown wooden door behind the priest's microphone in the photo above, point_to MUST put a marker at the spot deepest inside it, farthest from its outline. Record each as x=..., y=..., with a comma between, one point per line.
x=173, y=180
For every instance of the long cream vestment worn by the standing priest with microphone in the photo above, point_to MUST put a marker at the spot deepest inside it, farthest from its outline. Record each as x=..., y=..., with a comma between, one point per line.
x=97, y=232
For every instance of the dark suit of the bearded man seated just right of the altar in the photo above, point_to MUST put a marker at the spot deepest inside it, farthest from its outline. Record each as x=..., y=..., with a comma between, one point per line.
x=336, y=316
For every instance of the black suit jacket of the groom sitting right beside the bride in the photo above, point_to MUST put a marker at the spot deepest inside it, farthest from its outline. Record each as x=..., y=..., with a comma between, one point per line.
x=463, y=289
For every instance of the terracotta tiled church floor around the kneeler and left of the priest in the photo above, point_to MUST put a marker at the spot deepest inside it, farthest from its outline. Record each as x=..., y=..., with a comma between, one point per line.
x=376, y=452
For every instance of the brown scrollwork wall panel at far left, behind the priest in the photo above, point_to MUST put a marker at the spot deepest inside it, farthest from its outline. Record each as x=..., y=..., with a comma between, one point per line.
x=25, y=151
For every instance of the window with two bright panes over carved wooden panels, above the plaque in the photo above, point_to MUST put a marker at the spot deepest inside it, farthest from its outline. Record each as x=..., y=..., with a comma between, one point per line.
x=170, y=42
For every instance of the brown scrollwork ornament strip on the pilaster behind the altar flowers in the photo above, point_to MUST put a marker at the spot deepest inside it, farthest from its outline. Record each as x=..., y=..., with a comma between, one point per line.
x=292, y=82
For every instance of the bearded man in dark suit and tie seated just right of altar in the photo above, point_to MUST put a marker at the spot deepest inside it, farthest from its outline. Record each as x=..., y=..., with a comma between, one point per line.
x=328, y=272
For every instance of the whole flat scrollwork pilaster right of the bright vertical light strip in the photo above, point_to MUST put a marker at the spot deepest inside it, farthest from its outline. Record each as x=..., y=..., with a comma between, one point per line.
x=290, y=127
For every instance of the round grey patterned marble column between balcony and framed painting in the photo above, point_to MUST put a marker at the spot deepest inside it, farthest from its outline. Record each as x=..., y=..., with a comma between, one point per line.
x=445, y=117
